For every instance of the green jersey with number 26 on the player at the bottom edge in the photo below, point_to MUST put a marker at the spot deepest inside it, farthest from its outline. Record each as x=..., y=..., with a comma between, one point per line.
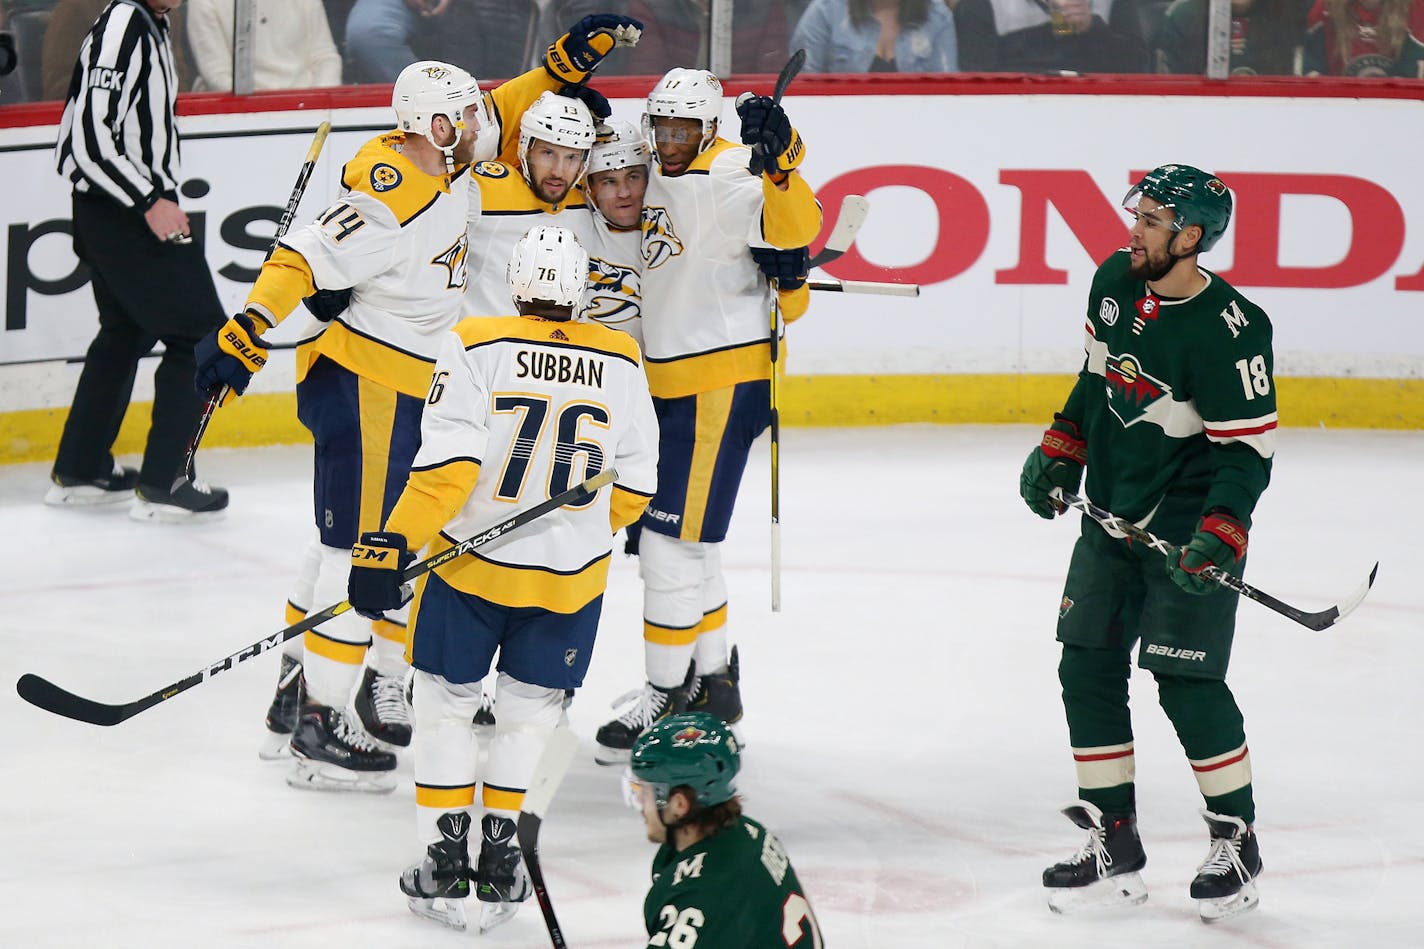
x=735, y=890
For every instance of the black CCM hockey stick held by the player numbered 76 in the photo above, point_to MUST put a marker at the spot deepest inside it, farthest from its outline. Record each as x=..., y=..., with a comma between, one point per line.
x=52, y=699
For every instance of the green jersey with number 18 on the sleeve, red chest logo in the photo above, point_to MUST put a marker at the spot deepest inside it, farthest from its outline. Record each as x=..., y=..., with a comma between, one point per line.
x=1176, y=400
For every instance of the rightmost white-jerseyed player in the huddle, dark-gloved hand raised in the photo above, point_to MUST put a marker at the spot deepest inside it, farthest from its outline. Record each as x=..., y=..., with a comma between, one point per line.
x=706, y=341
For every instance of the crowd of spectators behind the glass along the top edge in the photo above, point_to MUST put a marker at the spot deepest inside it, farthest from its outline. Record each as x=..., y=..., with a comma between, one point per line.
x=314, y=43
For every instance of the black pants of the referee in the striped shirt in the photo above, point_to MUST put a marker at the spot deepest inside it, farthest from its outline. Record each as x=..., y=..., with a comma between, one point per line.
x=147, y=291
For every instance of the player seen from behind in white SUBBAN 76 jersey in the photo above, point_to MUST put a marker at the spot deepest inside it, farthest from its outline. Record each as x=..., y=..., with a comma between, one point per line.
x=520, y=410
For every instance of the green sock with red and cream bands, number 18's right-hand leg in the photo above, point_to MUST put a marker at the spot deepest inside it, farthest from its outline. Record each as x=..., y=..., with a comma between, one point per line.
x=1213, y=733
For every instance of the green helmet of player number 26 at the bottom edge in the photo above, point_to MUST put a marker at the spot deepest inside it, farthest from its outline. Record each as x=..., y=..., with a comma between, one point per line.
x=696, y=750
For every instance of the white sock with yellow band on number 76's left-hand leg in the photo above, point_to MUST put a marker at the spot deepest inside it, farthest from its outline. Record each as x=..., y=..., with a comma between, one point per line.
x=446, y=750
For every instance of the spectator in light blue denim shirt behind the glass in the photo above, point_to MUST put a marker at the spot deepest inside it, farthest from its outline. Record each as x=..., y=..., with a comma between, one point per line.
x=878, y=36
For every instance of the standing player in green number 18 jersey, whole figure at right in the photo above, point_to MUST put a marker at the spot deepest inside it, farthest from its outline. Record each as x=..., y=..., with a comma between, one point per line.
x=1174, y=417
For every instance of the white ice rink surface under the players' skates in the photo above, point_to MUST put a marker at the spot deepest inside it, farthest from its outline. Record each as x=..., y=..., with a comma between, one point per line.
x=906, y=737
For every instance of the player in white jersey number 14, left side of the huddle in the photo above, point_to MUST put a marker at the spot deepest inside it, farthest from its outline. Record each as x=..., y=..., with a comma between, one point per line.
x=398, y=240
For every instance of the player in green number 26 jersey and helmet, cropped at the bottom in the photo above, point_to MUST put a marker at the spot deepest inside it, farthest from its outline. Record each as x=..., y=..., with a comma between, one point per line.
x=720, y=878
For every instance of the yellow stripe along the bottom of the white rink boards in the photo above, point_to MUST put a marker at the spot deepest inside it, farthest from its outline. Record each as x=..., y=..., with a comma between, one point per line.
x=32, y=435
